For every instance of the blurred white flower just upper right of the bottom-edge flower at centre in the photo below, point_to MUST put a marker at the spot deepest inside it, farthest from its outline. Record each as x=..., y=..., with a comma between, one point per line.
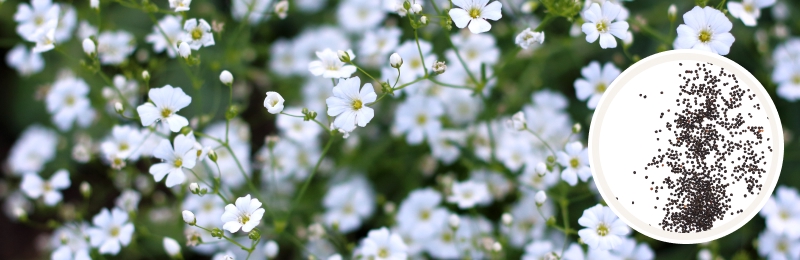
x=420, y=214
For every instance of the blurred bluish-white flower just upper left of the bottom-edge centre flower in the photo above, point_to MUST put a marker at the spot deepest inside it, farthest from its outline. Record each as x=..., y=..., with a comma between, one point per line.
x=348, y=204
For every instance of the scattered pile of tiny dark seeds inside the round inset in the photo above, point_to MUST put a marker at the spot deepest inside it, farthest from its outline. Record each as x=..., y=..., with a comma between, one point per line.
x=700, y=155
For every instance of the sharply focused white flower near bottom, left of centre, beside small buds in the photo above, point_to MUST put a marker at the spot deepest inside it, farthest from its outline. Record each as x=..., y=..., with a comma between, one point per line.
x=245, y=215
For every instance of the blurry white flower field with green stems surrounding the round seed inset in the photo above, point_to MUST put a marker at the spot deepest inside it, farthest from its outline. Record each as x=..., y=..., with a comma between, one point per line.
x=350, y=129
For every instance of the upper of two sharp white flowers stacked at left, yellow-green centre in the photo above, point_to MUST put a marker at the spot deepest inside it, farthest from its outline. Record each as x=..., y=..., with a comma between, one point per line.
x=167, y=101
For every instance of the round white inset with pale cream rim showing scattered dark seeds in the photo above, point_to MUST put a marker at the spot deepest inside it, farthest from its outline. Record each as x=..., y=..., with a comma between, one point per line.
x=686, y=146
